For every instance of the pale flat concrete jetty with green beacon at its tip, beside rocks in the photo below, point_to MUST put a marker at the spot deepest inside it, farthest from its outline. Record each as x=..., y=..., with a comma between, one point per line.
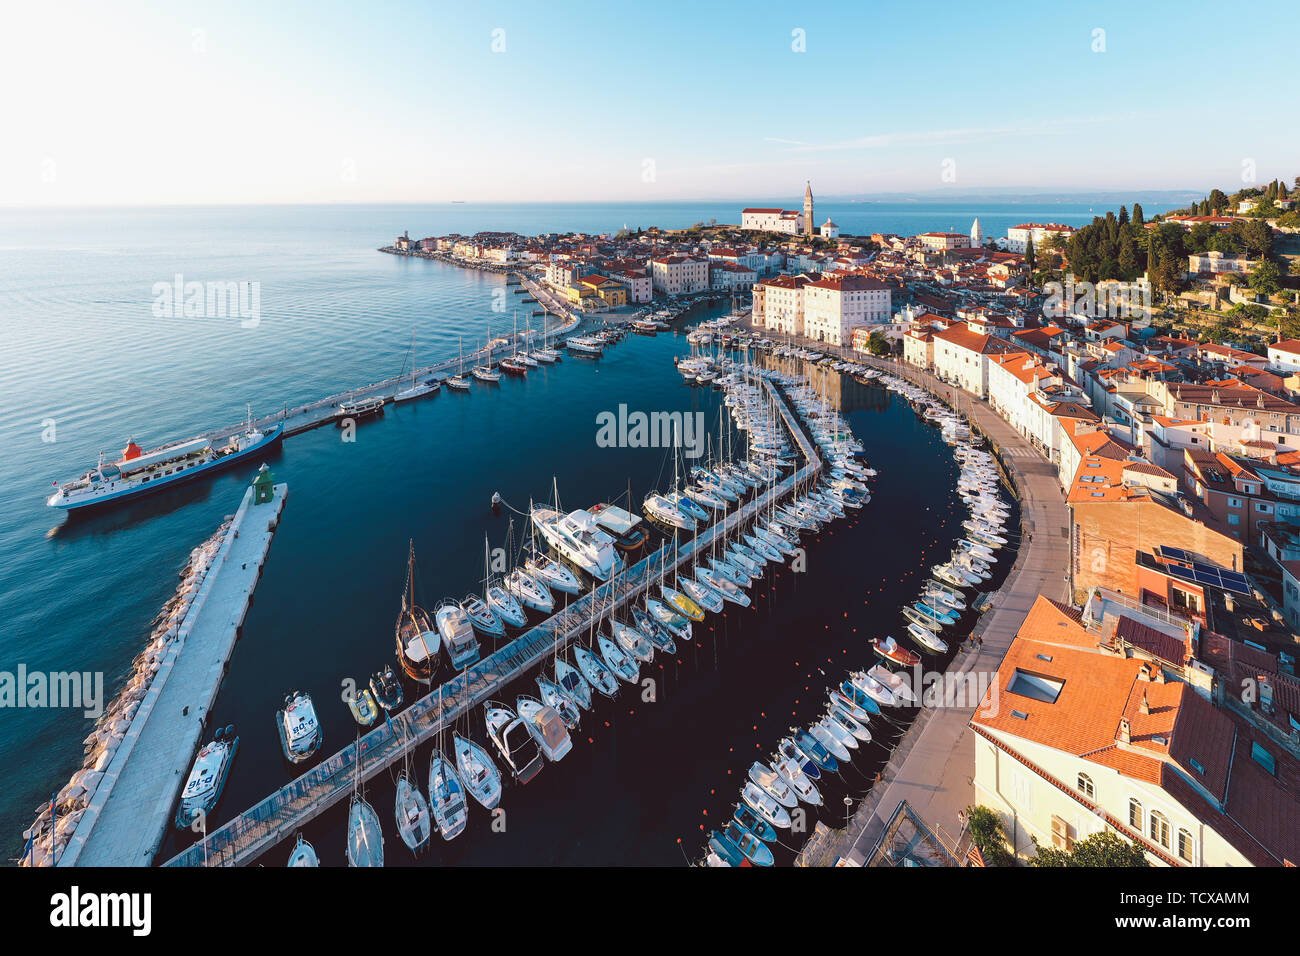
x=127, y=820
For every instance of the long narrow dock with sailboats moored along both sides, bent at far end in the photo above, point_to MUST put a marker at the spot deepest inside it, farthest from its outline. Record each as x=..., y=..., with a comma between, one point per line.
x=283, y=814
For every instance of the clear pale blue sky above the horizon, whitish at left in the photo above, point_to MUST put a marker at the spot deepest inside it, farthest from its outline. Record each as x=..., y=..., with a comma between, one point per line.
x=406, y=102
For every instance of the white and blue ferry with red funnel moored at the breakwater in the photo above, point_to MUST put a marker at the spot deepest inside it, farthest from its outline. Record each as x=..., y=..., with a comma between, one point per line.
x=140, y=473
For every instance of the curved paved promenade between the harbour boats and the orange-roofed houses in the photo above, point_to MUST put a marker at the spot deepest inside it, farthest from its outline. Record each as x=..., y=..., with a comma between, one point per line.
x=934, y=764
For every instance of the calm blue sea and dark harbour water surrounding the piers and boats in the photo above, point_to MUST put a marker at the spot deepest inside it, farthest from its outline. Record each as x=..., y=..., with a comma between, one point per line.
x=81, y=347
